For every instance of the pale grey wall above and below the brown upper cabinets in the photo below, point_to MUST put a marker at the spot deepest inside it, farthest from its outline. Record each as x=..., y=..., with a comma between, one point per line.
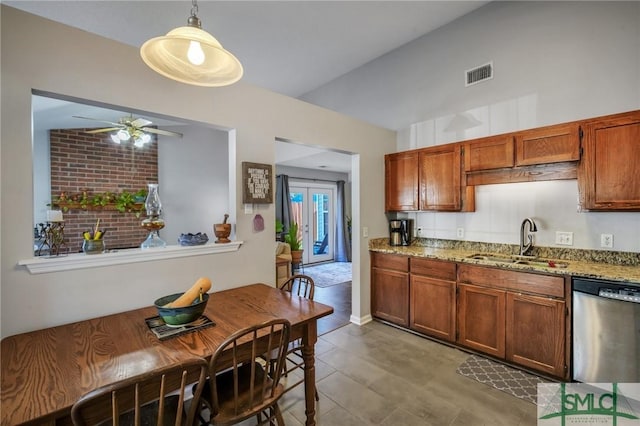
x=553, y=62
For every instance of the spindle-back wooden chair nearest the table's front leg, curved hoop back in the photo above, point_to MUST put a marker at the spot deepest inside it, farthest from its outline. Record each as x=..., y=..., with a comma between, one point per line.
x=245, y=388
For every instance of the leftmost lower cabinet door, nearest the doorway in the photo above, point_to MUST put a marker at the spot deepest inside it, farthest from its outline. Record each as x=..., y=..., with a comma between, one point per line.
x=390, y=296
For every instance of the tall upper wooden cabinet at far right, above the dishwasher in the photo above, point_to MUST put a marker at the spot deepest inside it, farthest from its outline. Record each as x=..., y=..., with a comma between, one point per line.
x=608, y=174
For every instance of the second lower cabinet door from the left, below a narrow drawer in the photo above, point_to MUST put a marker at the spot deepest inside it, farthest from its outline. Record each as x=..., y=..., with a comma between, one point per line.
x=433, y=307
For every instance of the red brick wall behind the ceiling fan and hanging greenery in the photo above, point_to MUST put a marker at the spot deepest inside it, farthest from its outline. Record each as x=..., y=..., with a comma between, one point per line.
x=95, y=164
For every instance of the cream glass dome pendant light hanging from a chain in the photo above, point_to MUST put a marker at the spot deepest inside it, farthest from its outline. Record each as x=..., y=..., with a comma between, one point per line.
x=191, y=55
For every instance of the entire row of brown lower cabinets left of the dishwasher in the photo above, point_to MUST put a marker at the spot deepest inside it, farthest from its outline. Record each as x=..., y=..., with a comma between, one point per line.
x=519, y=317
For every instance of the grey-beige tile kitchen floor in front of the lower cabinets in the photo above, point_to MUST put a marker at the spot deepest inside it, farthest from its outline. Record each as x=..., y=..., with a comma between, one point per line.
x=378, y=375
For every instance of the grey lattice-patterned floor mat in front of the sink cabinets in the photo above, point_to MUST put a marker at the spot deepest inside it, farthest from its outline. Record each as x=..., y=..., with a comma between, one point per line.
x=502, y=377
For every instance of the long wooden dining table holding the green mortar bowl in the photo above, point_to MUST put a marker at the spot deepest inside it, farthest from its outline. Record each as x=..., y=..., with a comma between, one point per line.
x=45, y=371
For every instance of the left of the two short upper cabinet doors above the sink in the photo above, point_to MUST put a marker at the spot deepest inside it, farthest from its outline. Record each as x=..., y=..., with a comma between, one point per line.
x=495, y=152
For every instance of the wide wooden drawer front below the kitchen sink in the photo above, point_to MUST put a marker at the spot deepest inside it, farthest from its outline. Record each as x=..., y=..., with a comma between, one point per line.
x=545, y=285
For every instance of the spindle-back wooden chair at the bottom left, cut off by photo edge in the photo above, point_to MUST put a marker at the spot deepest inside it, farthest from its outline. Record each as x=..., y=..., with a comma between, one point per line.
x=145, y=399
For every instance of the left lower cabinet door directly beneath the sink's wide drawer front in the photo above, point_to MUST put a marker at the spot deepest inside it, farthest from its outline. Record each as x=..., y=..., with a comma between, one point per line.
x=481, y=319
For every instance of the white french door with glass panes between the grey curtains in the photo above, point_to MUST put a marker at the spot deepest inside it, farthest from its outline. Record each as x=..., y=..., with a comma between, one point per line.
x=313, y=207
